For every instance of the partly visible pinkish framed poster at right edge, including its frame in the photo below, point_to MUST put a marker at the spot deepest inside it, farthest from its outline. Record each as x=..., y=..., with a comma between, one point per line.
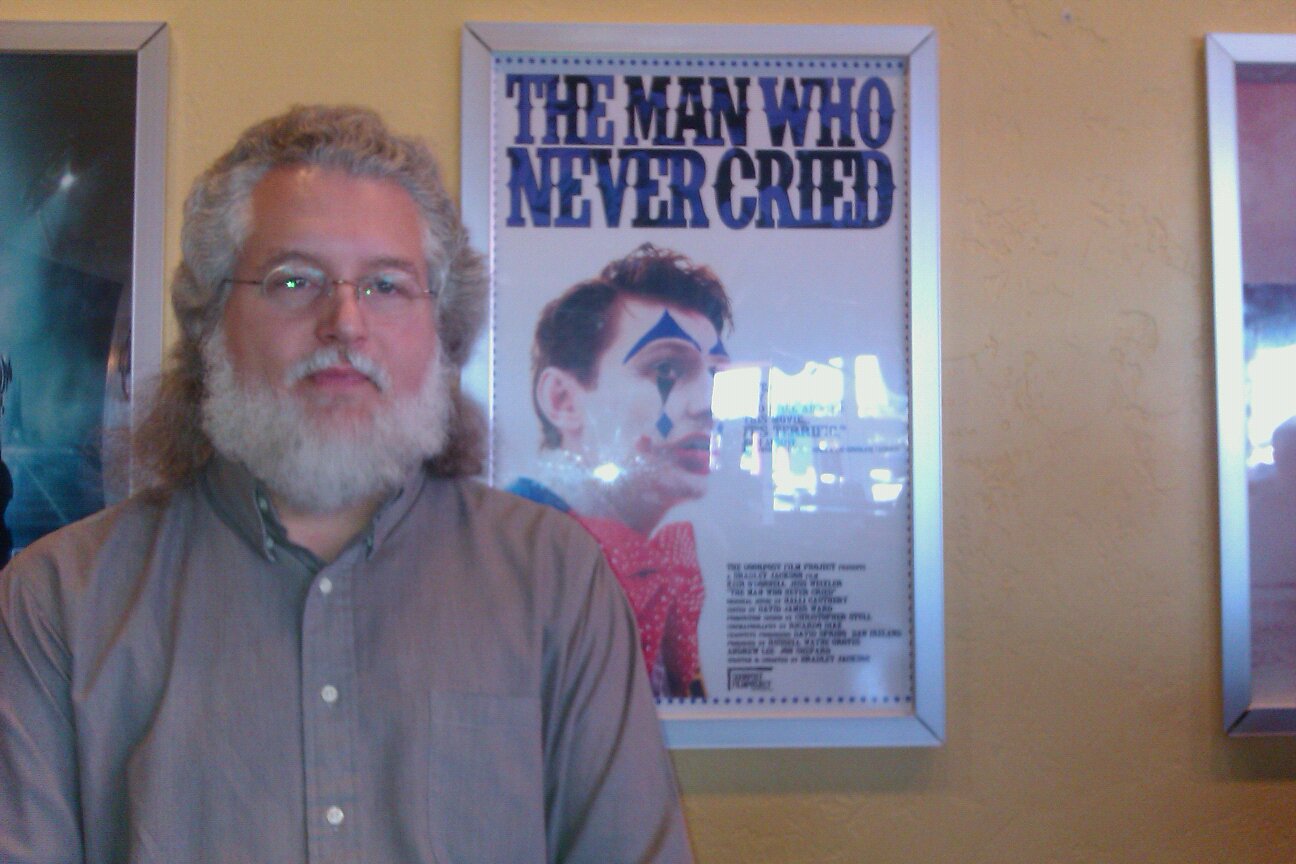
x=1251, y=93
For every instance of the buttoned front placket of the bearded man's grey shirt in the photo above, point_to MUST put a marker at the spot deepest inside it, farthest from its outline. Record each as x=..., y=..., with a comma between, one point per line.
x=329, y=716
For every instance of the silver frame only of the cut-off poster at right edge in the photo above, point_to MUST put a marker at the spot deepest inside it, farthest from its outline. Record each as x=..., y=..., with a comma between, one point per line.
x=1225, y=54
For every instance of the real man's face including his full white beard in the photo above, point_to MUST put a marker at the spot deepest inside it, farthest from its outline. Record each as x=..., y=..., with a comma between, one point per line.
x=332, y=404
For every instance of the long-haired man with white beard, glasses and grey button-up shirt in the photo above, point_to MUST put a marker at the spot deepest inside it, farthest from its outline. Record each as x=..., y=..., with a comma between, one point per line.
x=317, y=642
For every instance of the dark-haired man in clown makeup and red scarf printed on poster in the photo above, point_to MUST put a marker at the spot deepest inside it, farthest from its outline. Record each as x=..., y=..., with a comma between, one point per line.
x=623, y=371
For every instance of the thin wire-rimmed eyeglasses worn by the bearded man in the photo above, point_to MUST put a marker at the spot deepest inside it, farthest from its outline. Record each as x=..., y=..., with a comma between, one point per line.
x=296, y=288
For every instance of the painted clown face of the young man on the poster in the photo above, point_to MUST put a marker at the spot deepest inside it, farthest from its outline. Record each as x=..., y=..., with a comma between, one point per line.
x=650, y=410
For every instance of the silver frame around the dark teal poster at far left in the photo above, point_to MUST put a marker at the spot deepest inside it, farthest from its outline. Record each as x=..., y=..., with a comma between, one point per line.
x=147, y=41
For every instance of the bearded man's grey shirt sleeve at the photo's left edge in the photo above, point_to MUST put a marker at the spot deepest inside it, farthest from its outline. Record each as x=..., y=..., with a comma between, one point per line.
x=40, y=821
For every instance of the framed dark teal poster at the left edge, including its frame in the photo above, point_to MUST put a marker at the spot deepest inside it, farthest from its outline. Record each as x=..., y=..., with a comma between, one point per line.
x=82, y=142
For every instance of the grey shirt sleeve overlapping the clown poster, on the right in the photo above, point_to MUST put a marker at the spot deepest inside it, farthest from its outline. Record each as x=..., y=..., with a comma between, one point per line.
x=611, y=792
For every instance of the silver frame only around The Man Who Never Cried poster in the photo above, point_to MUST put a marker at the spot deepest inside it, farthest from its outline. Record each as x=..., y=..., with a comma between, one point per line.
x=918, y=46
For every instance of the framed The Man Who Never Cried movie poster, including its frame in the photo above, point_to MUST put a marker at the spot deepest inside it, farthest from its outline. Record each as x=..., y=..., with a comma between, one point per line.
x=715, y=343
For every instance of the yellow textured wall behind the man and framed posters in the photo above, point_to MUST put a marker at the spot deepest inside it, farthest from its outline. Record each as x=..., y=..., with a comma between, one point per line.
x=1080, y=490
